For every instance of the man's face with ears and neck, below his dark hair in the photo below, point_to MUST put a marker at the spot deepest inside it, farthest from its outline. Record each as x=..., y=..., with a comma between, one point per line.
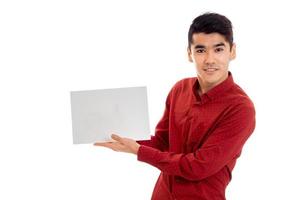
x=211, y=54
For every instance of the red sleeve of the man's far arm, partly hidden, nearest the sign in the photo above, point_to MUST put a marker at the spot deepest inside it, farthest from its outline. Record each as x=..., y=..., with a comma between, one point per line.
x=160, y=140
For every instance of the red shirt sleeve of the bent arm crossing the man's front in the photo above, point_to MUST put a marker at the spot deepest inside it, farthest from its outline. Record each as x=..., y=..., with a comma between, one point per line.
x=222, y=146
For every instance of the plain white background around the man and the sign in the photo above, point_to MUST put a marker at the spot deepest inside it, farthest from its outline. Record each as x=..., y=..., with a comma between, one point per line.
x=49, y=48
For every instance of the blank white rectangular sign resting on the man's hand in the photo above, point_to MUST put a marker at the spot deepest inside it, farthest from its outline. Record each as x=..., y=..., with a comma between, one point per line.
x=96, y=114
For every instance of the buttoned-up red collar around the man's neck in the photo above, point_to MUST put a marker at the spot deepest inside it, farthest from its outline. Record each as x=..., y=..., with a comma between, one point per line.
x=215, y=91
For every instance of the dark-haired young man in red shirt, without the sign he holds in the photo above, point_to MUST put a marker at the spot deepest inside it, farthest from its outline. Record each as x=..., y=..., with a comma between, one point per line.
x=206, y=122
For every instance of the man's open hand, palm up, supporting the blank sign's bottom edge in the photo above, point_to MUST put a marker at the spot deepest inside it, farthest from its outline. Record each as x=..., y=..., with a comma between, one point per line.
x=120, y=144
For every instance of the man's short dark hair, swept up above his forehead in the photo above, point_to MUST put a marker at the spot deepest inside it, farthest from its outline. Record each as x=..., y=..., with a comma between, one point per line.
x=211, y=23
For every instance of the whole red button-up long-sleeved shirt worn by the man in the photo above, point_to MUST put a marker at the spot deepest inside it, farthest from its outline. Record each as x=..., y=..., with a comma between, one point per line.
x=198, y=140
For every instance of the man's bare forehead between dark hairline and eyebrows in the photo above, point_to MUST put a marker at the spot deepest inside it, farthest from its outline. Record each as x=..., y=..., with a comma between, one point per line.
x=208, y=40
